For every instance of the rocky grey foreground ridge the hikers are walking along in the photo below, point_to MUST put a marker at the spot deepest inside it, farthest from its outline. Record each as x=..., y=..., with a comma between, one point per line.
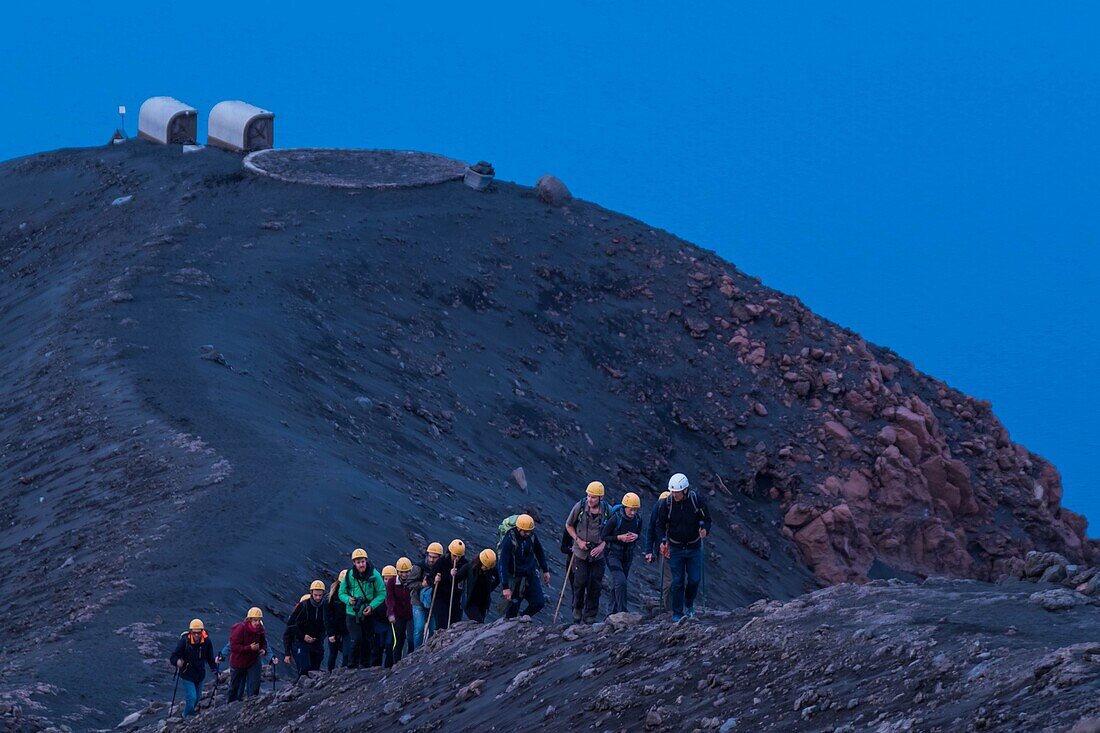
x=890, y=658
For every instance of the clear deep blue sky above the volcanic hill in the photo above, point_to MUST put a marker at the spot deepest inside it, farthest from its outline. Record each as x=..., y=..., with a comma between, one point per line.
x=927, y=176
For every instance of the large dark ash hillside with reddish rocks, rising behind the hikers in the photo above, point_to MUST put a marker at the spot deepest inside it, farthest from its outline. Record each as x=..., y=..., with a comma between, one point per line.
x=215, y=390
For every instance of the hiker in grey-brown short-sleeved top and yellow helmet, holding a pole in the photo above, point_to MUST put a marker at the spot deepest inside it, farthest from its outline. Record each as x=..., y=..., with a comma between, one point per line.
x=584, y=524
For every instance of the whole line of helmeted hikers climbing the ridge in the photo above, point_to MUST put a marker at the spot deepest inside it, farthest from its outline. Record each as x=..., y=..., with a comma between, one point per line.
x=372, y=619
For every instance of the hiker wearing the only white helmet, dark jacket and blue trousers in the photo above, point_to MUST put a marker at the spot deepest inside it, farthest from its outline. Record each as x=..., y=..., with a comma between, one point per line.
x=683, y=523
